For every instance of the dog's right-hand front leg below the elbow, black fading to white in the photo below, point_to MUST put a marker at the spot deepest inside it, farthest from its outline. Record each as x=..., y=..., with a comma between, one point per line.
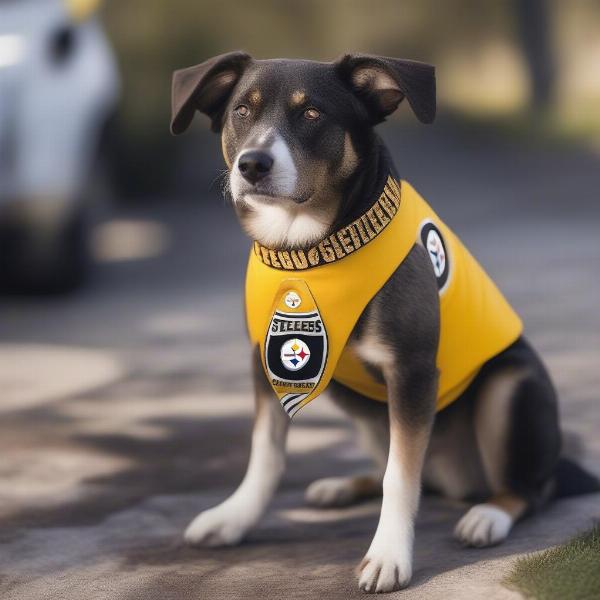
x=387, y=566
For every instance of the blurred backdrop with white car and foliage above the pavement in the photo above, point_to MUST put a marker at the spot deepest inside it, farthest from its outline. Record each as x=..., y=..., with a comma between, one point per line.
x=524, y=70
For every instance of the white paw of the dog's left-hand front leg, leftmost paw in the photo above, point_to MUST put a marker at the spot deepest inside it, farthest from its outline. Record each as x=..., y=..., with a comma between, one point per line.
x=219, y=526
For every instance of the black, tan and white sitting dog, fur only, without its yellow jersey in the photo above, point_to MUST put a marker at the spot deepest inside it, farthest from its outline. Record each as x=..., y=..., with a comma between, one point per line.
x=302, y=154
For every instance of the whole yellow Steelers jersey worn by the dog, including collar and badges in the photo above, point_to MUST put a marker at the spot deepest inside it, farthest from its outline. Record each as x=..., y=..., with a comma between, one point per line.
x=302, y=305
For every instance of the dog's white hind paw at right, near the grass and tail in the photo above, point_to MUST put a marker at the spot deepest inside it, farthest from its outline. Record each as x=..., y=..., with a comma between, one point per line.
x=483, y=525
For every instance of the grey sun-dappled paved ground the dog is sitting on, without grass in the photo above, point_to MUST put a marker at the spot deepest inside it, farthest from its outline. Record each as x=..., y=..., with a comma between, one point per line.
x=126, y=409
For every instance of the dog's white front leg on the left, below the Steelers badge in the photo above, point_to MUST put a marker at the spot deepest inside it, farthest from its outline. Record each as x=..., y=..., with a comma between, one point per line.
x=227, y=523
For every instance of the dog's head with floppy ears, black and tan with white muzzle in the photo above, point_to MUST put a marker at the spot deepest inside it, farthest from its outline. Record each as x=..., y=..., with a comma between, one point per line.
x=294, y=132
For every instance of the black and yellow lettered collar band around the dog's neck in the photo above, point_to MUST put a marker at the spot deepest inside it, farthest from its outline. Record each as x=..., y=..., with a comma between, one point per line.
x=341, y=243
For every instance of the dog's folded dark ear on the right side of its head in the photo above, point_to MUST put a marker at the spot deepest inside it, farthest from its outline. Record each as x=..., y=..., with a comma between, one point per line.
x=382, y=83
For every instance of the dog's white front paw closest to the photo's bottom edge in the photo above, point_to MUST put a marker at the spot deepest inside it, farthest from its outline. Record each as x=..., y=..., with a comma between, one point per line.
x=383, y=573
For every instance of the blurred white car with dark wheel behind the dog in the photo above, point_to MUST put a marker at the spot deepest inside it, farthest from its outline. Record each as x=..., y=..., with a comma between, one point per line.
x=59, y=87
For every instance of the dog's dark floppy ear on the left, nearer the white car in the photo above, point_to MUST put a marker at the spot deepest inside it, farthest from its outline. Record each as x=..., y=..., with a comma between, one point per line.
x=205, y=87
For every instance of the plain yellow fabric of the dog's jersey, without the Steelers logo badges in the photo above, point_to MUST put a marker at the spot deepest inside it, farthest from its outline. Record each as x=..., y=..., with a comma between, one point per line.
x=476, y=322
